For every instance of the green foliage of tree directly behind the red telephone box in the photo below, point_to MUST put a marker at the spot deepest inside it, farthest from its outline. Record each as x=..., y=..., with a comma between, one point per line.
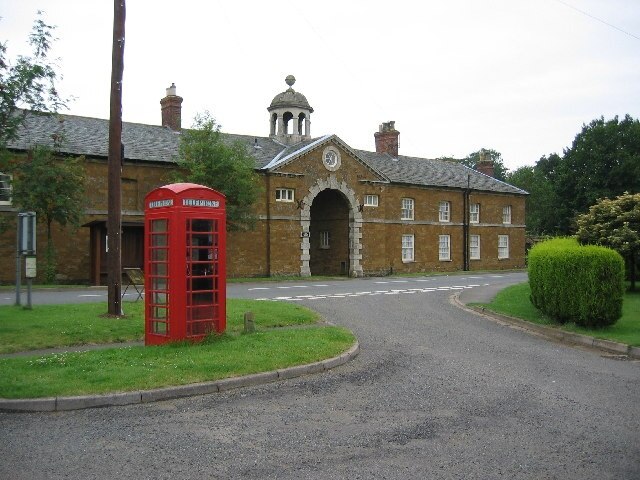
x=206, y=159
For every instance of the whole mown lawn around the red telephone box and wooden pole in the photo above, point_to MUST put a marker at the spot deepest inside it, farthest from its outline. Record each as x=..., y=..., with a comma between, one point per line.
x=135, y=368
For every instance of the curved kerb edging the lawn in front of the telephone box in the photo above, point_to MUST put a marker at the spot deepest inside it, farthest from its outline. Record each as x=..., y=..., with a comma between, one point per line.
x=51, y=404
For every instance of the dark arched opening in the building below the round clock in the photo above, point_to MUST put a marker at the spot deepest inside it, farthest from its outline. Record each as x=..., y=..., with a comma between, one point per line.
x=329, y=234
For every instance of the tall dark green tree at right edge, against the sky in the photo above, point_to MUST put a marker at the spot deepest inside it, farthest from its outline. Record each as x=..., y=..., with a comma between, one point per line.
x=602, y=162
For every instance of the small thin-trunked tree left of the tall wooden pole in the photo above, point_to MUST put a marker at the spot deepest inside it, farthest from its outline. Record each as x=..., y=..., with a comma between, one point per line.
x=53, y=187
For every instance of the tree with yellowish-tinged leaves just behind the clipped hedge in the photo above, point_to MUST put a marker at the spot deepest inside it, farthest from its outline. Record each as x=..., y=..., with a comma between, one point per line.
x=615, y=224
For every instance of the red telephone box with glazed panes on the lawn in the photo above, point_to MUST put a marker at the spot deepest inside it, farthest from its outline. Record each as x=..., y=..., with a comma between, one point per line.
x=185, y=263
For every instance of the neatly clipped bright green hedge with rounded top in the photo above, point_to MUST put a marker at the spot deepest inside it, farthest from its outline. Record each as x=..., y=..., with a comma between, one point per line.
x=573, y=283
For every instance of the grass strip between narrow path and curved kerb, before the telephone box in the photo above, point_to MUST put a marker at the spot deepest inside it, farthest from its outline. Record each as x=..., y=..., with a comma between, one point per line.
x=136, y=368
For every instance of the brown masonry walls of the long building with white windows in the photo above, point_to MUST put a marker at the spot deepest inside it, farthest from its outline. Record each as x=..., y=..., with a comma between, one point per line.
x=274, y=247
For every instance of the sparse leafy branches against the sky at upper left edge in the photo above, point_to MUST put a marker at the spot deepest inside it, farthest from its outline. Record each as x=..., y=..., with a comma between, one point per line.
x=28, y=83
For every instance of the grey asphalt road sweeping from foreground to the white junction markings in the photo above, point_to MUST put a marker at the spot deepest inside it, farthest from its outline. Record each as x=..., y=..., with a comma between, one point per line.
x=436, y=392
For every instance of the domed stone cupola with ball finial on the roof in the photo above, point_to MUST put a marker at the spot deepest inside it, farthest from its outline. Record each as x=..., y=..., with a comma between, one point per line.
x=290, y=116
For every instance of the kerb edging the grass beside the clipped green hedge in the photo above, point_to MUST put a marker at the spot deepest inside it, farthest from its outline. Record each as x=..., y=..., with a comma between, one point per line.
x=550, y=332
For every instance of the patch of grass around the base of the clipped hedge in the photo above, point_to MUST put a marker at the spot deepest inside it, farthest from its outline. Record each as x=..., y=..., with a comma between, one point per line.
x=515, y=302
